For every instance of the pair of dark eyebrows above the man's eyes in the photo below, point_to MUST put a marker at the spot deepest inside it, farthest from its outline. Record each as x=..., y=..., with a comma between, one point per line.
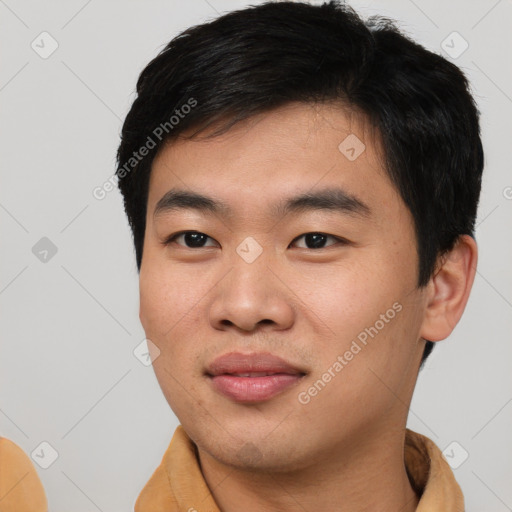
x=332, y=199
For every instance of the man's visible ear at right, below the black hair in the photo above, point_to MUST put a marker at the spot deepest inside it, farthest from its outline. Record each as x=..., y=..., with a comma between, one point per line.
x=449, y=288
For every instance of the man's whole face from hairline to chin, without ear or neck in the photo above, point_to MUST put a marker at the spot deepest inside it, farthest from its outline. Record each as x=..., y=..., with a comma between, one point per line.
x=328, y=285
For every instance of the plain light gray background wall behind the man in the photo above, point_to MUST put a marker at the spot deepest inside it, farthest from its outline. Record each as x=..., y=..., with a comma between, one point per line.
x=69, y=325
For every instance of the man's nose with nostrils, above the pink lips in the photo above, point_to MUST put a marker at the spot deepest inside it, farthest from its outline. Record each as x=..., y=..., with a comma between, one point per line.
x=252, y=295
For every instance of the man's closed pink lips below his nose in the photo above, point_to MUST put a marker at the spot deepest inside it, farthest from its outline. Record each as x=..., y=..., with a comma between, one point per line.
x=252, y=378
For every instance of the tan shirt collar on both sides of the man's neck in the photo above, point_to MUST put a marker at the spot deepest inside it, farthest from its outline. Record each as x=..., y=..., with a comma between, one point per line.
x=178, y=484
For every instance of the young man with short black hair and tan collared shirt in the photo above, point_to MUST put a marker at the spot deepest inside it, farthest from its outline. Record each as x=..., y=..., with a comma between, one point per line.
x=302, y=187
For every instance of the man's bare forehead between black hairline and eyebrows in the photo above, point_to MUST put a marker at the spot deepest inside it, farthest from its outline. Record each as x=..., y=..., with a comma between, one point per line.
x=295, y=149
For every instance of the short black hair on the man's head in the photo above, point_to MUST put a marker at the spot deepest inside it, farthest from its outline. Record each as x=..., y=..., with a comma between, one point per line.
x=256, y=59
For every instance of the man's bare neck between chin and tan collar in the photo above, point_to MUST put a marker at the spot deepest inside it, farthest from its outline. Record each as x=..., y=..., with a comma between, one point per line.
x=370, y=475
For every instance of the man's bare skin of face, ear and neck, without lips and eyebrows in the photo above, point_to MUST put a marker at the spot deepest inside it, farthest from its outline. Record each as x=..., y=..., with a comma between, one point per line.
x=343, y=450
